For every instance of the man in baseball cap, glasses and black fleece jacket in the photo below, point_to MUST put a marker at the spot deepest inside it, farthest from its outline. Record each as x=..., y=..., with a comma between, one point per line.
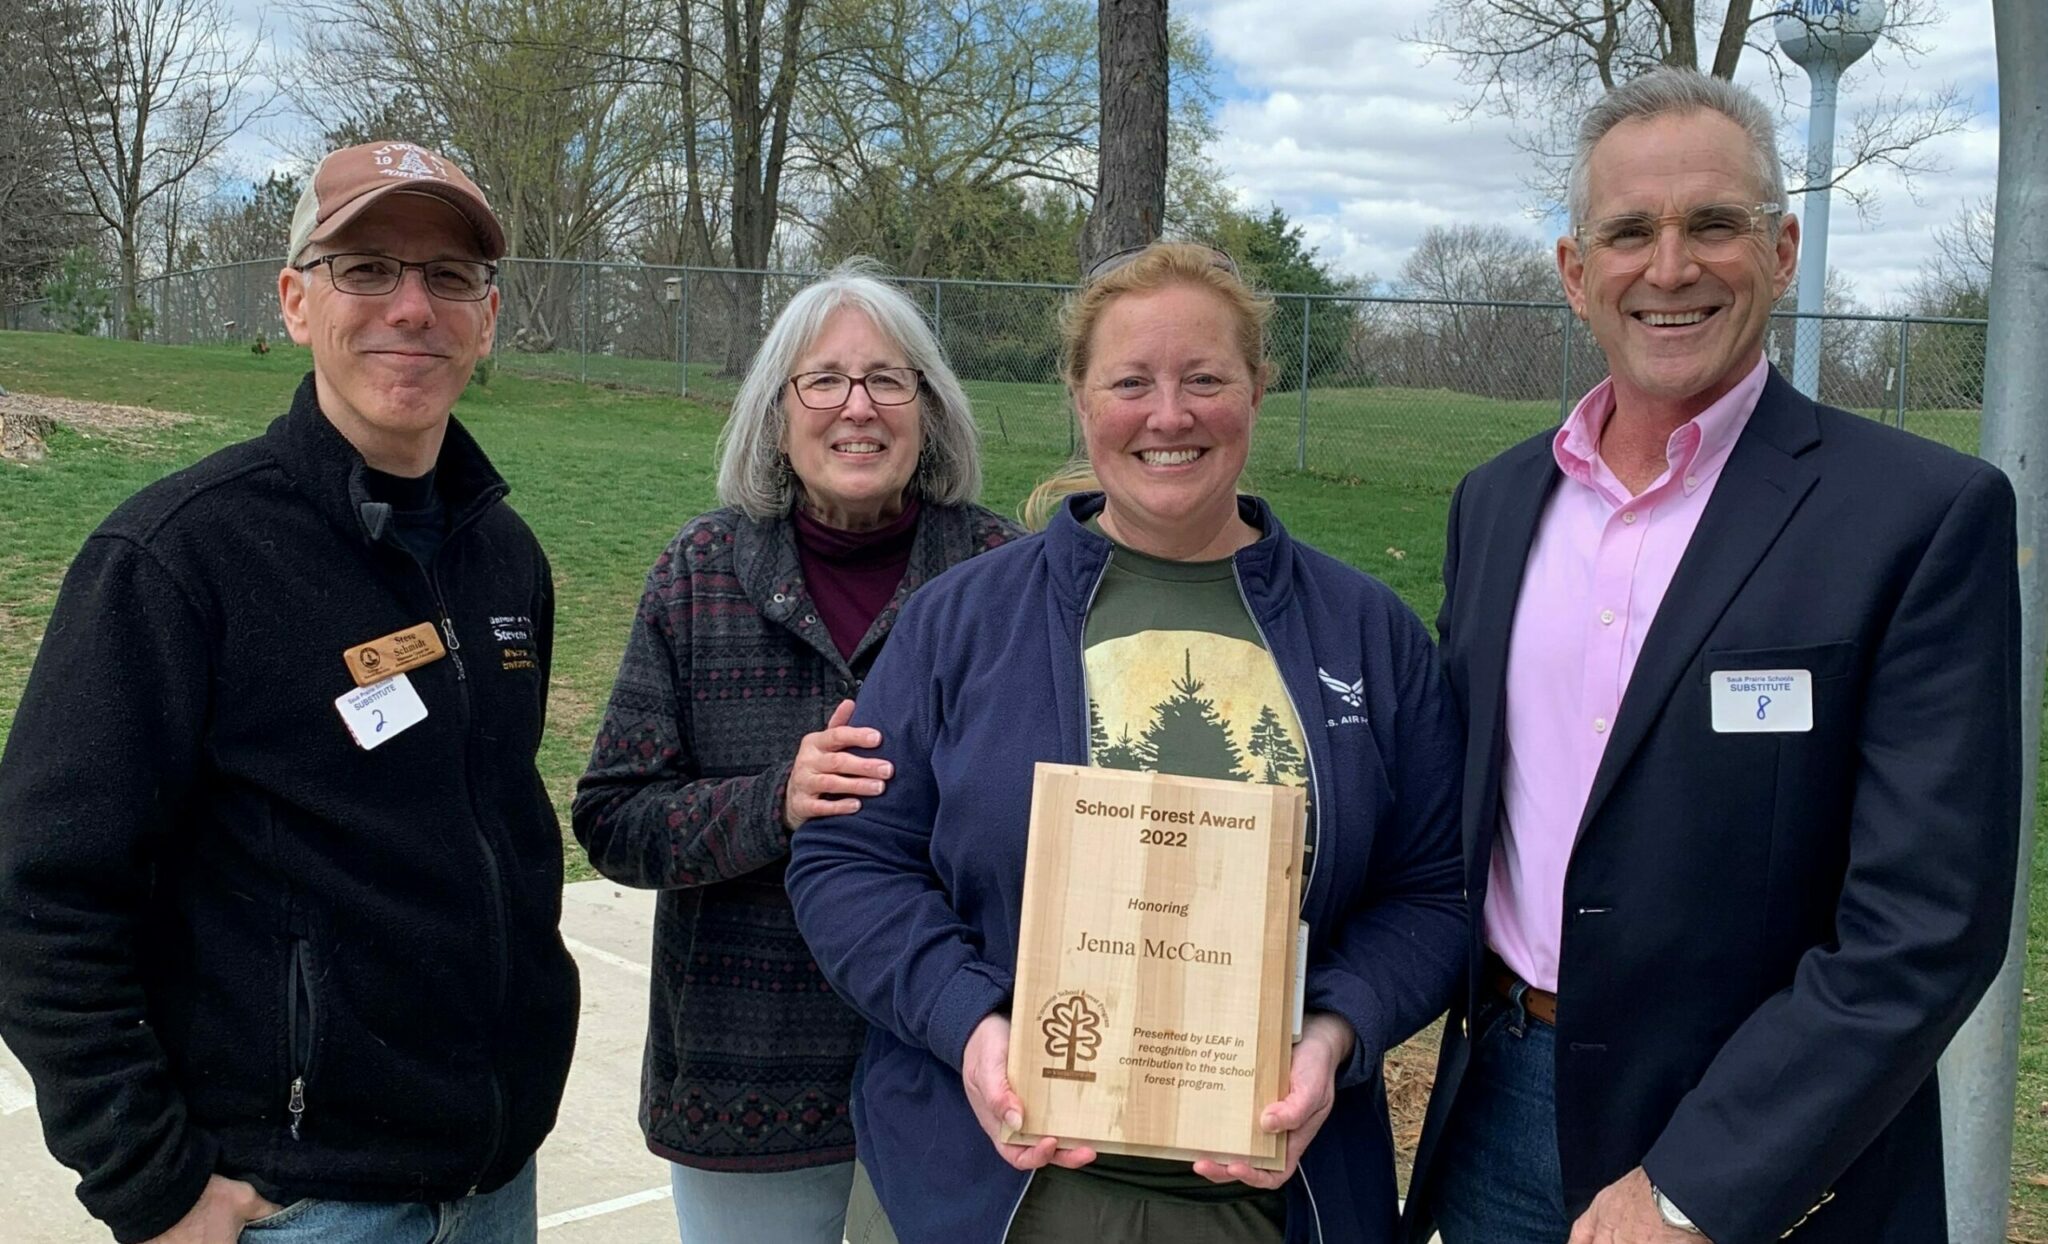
x=280, y=880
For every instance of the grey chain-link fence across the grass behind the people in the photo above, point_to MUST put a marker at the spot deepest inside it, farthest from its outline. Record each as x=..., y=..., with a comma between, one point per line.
x=1388, y=390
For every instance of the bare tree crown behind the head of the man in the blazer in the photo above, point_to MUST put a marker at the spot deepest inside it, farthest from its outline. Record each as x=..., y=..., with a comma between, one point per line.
x=1543, y=63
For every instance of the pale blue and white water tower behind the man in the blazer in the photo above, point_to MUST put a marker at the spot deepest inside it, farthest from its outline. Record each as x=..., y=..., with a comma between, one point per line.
x=1824, y=38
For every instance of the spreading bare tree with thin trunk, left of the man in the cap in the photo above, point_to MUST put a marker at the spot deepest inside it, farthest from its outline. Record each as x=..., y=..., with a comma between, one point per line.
x=146, y=93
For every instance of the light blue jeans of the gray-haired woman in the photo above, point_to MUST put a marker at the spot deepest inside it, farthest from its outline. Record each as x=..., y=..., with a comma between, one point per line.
x=787, y=1206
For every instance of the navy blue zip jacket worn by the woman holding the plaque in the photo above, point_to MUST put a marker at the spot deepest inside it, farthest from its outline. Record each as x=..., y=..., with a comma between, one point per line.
x=912, y=905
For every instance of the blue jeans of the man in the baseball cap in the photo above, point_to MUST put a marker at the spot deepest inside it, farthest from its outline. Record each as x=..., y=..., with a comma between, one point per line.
x=490, y=1218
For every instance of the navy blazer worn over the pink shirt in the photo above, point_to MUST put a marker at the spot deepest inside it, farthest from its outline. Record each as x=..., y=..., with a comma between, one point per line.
x=1770, y=938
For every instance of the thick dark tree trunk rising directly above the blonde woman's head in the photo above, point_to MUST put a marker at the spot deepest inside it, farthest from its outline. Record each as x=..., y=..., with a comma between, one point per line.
x=1132, y=165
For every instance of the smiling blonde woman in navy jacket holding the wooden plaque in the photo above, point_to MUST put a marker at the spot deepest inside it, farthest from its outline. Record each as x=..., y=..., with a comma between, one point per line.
x=1160, y=622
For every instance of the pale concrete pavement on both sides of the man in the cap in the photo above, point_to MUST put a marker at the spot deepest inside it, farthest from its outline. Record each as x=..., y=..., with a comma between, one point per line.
x=599, y=1184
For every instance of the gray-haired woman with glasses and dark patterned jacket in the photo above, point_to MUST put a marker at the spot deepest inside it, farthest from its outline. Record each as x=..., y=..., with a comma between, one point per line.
x=849, y=476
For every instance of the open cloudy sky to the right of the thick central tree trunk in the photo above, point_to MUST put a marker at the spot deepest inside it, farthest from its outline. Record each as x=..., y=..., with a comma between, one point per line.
x=1328, y=112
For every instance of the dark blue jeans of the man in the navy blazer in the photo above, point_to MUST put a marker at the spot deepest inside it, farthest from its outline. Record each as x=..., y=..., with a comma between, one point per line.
x=1500, y=1177
